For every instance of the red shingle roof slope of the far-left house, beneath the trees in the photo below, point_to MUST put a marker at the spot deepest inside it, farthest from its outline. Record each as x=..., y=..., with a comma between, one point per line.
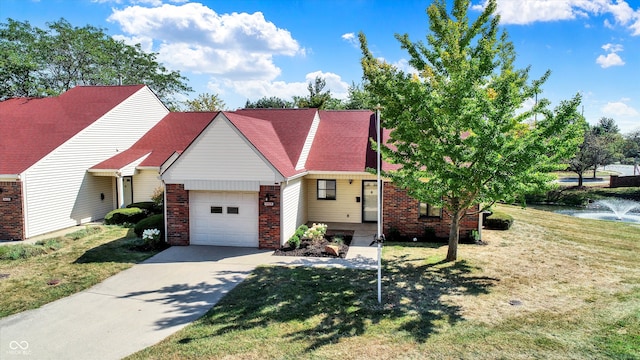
x=32, y=128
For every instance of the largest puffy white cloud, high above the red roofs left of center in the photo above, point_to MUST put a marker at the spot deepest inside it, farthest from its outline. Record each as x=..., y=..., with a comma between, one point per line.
x=193, y=37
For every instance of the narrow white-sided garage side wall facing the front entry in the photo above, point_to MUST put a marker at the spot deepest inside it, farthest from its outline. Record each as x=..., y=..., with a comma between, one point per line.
x=294, y=208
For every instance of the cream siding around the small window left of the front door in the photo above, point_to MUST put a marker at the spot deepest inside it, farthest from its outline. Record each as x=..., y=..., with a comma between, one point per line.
x=343, y=209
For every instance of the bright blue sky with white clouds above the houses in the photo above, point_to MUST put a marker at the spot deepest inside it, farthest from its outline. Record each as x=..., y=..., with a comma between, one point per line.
x=245, y=49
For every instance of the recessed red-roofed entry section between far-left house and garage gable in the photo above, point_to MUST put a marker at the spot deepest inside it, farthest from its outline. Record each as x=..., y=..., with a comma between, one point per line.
x=136, y=170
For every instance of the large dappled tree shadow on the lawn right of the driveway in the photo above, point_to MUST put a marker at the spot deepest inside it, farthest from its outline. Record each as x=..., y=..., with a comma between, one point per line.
x=343, y=302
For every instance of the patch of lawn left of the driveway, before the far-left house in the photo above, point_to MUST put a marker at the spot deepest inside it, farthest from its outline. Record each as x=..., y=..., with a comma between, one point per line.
x=33, y=275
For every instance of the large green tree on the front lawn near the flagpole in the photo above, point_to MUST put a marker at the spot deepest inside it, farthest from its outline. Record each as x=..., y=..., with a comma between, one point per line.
x=458, y=132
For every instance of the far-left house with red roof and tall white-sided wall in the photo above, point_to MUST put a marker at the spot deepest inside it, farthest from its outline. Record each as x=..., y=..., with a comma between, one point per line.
x=48, y=144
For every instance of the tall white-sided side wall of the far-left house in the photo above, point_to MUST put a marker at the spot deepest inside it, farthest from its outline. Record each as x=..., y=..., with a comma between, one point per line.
x=60, y=192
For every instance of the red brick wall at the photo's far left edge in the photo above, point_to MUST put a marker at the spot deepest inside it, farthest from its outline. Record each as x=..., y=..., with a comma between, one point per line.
x=11, y=215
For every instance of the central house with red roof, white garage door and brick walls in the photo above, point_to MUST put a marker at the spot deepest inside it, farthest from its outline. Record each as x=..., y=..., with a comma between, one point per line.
x=252, y=176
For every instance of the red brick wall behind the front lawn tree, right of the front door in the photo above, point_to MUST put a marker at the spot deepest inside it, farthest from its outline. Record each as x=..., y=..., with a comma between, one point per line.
x=401, y=212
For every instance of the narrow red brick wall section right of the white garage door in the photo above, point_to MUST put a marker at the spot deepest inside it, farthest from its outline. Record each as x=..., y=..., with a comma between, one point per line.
x=269, y=217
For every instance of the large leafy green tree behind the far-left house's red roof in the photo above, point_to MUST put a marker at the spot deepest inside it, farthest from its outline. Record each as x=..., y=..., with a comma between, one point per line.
x=43, y=62
